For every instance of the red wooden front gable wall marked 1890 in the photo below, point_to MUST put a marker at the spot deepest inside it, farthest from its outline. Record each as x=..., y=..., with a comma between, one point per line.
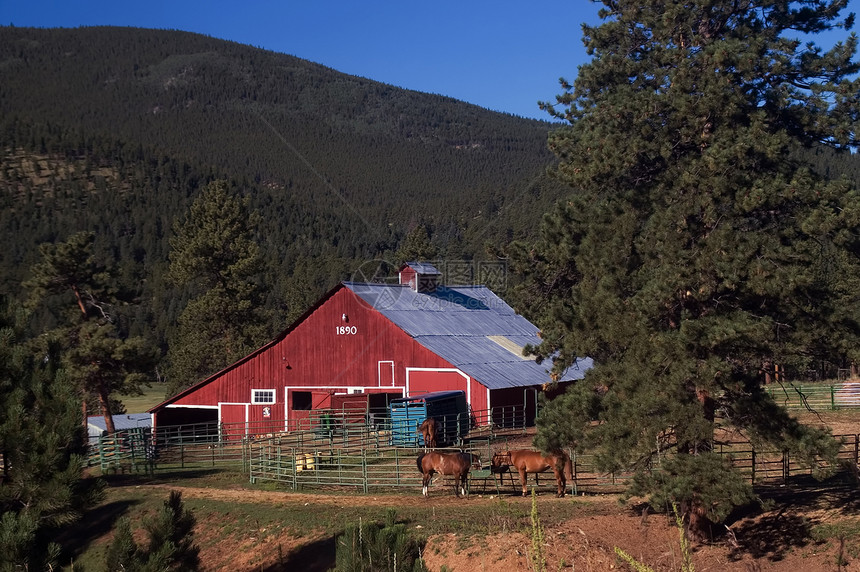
x=340, y=345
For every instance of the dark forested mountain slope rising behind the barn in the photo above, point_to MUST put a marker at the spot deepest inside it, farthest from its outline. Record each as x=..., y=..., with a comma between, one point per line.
x=115, y=129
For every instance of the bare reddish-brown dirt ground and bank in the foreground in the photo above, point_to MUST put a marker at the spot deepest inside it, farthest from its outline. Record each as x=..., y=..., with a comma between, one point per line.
x=780, y=539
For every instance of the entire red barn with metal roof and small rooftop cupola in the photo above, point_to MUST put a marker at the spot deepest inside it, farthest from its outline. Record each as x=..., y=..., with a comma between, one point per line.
x=382, y=340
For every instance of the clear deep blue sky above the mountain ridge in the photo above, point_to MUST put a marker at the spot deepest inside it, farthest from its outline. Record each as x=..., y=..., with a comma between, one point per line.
x=504, y=55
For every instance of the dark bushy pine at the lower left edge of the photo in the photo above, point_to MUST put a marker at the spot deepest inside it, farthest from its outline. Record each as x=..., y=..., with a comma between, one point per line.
x=43, y=449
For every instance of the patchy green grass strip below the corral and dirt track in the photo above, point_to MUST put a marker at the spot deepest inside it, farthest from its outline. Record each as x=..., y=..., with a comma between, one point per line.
x=222, y=521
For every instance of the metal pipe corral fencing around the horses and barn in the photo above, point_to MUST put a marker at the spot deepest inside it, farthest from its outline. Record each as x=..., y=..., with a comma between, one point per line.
x=349, y=454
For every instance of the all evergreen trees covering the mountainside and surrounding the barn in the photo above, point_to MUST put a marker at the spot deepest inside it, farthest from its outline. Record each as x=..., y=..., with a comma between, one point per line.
x=171, y=201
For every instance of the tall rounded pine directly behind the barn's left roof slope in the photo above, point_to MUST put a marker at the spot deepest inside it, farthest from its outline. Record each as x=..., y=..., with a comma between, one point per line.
x=214, y=255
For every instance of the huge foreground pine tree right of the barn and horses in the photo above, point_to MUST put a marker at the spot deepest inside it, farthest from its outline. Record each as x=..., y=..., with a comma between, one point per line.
x=696, y=253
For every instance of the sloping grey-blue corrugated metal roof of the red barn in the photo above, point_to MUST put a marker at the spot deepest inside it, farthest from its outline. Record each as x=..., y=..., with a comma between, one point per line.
x=470, y=327
